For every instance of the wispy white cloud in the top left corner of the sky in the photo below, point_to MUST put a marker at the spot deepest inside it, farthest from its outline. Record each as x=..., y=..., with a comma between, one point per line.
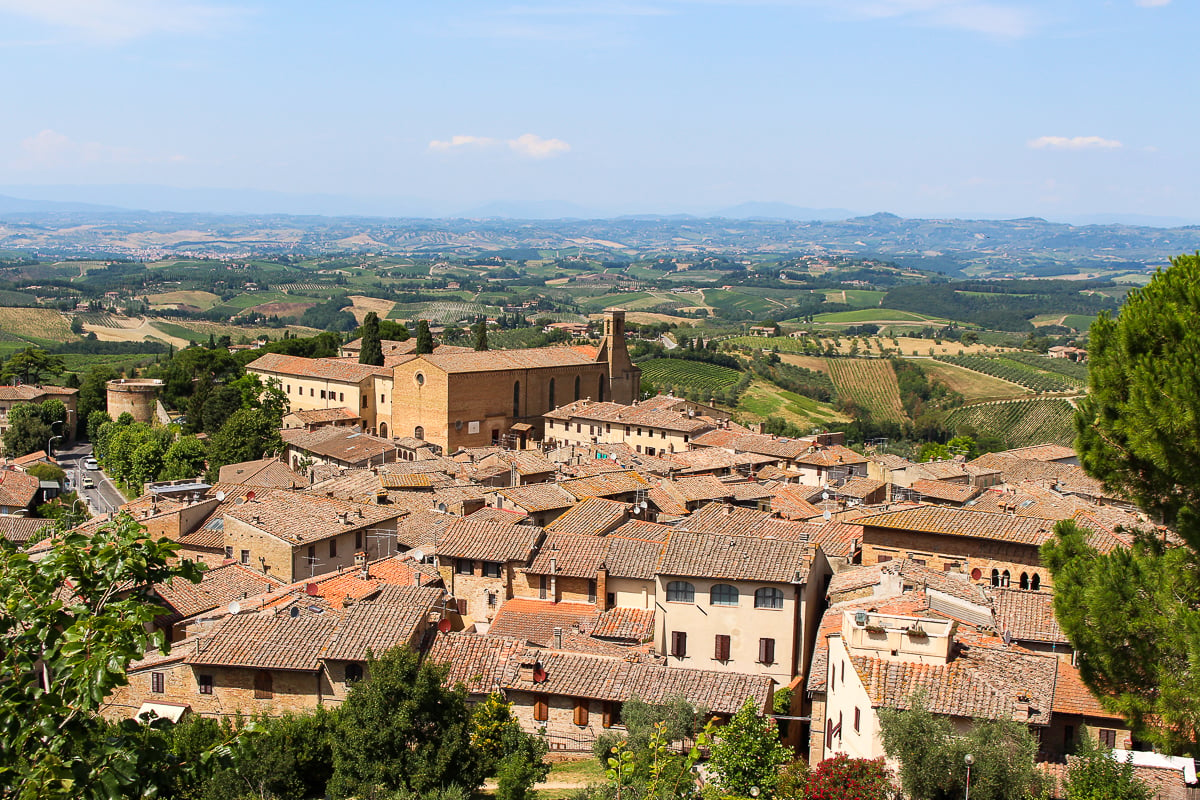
x=121, y=21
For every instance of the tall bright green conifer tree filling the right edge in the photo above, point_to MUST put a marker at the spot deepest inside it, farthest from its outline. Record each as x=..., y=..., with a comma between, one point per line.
x=1138, y=435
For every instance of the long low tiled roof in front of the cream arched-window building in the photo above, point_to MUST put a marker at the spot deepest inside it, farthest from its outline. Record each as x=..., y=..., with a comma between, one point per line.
x=487, y=663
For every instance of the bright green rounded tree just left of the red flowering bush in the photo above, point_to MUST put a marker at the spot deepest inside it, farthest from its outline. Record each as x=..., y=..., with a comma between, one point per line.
x=748, y=753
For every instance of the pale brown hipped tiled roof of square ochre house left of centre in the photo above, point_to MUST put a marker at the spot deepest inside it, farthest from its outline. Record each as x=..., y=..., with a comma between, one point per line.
x=303, y=519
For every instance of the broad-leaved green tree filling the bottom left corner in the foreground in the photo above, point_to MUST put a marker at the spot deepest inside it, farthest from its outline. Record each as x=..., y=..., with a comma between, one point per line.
x=63, y=657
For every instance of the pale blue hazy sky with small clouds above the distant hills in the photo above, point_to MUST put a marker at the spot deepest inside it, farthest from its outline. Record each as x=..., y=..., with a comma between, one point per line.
x=1053, y=109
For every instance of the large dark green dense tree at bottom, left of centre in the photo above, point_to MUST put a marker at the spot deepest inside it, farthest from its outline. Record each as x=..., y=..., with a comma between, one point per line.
x=404, y=730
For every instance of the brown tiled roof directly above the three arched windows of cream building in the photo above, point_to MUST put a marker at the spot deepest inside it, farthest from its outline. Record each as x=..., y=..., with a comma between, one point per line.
x=735, y=558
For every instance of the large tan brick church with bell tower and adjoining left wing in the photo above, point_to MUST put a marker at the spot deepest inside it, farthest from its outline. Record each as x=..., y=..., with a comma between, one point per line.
x=457, y=398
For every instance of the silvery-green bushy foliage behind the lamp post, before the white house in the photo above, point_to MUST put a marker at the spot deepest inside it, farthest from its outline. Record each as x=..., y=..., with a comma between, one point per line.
x=933, y=757
